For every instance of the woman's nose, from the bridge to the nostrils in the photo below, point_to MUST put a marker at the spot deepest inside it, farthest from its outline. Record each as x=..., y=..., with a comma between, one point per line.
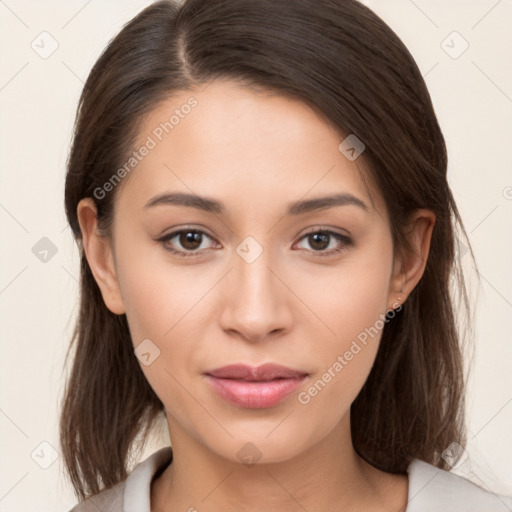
x=256, y=303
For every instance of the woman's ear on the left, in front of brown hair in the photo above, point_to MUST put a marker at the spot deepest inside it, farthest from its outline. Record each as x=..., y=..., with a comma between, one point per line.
x=99, y=254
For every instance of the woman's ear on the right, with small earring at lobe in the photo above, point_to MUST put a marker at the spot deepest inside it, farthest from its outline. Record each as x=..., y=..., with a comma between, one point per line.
x=410, y=265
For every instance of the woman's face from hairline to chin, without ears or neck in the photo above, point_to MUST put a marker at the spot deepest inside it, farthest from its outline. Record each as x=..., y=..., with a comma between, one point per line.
x=251, y=283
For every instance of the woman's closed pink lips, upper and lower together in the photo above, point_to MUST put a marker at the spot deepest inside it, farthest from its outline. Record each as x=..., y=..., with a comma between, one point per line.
x=255, y=387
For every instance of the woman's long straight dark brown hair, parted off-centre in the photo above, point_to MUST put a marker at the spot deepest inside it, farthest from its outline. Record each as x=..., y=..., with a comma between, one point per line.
x=346, y=63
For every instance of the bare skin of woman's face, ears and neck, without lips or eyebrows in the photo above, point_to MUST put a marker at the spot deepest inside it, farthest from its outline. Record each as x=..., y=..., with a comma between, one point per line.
x=256, y=152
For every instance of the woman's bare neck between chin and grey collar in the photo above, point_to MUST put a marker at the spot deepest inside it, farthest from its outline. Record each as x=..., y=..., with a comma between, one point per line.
x=329, y=476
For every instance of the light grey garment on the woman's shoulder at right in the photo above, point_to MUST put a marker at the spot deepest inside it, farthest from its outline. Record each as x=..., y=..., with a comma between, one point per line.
x=432, y=488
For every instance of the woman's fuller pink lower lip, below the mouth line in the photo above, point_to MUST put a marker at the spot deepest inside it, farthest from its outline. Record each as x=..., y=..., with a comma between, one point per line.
x=254, y=394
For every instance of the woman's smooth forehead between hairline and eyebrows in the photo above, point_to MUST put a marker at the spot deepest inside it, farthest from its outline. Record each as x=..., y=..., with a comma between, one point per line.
x=230, y=141
